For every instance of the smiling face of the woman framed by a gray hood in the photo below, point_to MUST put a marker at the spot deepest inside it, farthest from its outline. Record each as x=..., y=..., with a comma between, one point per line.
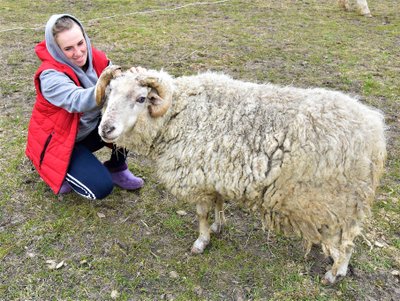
x=73, y=45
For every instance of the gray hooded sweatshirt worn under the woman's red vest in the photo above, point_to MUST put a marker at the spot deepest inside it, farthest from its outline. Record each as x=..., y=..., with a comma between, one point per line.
x=61, y=91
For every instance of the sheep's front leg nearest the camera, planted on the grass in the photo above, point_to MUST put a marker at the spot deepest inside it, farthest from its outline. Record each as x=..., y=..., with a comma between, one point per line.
x=203, y=240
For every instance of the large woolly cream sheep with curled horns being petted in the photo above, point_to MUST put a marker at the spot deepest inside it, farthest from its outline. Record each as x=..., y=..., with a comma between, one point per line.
x=309, y=160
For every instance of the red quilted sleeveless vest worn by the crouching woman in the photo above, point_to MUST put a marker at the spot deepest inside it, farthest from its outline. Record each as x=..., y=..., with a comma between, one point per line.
x=52, y=130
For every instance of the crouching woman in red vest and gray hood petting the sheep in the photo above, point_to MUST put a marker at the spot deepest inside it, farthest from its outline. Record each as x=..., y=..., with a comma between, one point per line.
x=62, y=134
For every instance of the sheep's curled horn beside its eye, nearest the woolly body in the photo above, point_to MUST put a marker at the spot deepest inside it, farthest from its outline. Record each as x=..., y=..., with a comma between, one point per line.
x=158, y=108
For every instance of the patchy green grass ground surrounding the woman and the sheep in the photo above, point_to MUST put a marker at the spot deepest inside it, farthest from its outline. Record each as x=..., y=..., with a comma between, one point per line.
x=135, y=246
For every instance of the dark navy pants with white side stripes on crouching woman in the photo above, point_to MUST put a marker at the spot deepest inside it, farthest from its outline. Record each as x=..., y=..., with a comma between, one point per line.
x=86, y=174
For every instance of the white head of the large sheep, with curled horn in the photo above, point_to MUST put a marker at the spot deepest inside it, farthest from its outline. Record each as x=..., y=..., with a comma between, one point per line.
x=130, y=96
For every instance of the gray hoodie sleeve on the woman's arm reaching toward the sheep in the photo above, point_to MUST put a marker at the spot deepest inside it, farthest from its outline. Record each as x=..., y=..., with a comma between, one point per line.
x=61, y=91
